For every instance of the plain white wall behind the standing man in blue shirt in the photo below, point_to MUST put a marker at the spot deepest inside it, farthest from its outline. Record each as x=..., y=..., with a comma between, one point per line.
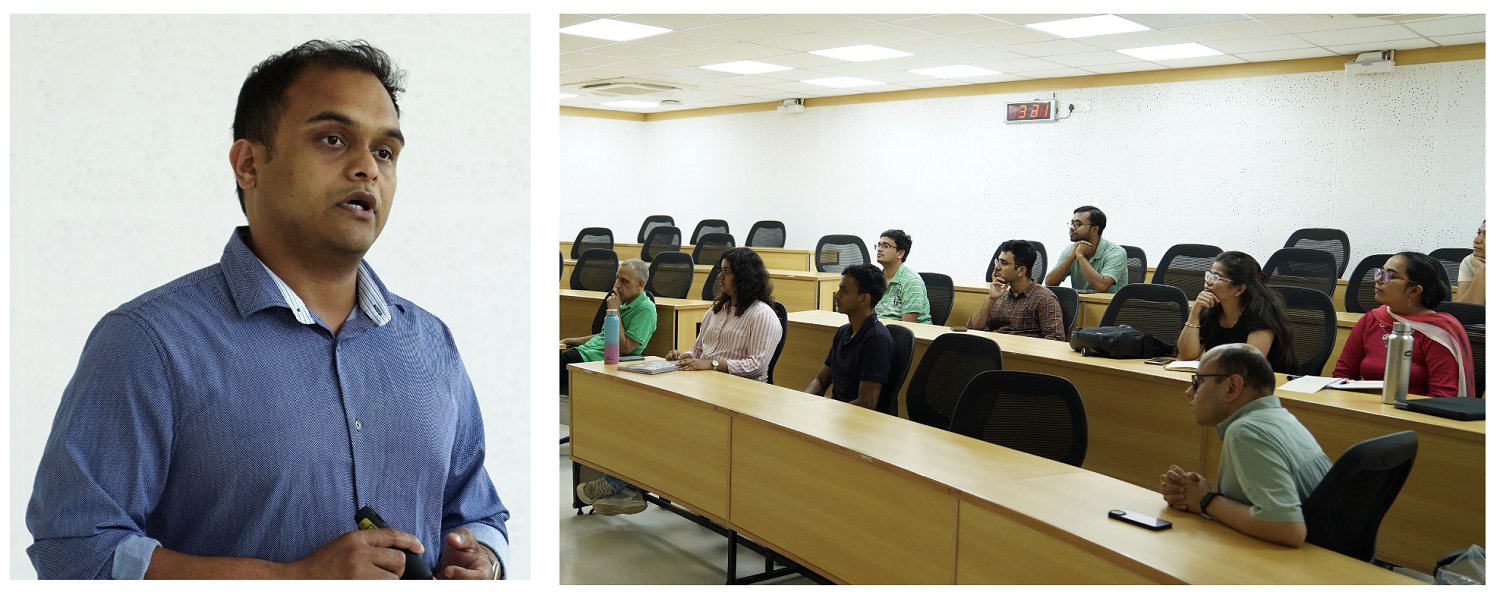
x=121, y=182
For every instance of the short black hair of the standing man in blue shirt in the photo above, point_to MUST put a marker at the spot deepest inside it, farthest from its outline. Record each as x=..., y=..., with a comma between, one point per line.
x=263, y=97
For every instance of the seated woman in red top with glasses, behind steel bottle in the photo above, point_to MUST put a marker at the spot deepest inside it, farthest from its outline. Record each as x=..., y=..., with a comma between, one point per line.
x=1409, y=287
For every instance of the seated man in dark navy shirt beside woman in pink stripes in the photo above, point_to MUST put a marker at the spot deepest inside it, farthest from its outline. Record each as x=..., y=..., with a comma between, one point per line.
x=859, y=363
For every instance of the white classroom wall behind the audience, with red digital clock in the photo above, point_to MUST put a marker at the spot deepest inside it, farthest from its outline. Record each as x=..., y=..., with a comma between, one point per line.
x=1396, y=161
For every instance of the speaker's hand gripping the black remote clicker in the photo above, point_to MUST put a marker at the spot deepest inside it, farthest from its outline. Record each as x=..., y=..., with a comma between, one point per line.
x=359, y=555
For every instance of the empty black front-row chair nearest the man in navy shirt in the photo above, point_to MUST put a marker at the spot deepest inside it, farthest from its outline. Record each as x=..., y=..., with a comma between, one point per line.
x=952, y=360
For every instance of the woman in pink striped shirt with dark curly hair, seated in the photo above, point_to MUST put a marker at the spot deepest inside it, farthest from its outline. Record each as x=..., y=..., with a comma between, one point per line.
x=740, y=332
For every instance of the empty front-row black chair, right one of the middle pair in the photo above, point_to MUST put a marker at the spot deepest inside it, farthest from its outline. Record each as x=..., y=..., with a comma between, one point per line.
x=1025, y=411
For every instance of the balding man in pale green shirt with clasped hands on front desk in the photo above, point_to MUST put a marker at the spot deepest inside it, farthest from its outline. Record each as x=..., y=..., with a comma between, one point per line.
x=1270, y=464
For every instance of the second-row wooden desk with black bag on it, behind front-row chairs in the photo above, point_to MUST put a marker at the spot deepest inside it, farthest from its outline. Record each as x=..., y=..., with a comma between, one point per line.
x=1141, y=425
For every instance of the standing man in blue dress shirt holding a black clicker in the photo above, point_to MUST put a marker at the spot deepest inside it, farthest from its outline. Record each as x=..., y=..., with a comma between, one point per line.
x=233, y=422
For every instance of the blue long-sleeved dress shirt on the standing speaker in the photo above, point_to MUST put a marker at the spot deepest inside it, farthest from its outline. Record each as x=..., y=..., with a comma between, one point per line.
x=208, y=417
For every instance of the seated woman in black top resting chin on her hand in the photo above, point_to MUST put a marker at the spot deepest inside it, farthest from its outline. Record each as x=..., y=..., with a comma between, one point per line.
x=1237, y=308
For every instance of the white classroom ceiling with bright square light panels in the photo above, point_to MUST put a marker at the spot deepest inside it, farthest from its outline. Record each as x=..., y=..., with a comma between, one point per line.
x=997, y=43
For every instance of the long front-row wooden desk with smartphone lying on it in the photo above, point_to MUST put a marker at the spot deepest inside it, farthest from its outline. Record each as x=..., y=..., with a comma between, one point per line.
x=868, y=498
